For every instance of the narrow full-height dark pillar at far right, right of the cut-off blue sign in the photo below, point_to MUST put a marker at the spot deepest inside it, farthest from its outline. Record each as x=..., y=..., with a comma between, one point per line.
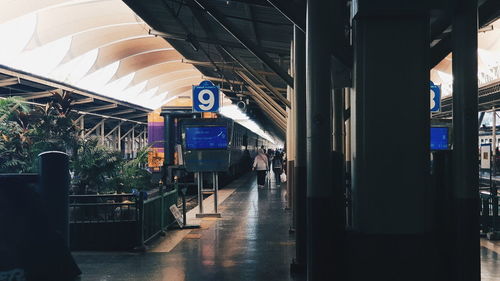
x=465, y=170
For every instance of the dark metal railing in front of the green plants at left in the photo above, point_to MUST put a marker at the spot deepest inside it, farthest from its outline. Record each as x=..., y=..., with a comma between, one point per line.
x=101, y=217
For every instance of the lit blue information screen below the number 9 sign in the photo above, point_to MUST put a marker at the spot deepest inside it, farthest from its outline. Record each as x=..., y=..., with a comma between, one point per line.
x=206, y=137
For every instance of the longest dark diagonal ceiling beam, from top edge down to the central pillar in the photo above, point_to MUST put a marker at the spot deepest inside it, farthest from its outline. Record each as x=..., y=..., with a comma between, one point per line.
x=245, y=41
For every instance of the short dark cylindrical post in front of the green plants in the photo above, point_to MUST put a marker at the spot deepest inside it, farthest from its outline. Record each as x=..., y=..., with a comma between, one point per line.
x=53, y=188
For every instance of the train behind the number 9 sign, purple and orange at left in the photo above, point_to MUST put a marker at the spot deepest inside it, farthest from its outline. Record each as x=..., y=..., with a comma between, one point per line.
x=165, y=137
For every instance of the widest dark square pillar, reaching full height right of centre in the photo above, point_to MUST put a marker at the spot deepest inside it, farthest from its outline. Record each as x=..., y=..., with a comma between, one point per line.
x=390, y=142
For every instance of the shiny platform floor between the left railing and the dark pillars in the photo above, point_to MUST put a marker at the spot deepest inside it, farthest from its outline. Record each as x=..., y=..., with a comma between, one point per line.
x=250, y=242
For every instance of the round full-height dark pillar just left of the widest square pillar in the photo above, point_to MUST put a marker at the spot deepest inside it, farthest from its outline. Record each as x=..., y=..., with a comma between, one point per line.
x=319, y=165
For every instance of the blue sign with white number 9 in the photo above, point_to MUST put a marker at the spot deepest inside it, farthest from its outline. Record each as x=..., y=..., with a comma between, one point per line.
x=206, y=97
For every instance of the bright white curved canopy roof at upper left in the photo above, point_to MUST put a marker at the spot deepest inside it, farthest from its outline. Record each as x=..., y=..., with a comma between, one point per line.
x=98, y=45
